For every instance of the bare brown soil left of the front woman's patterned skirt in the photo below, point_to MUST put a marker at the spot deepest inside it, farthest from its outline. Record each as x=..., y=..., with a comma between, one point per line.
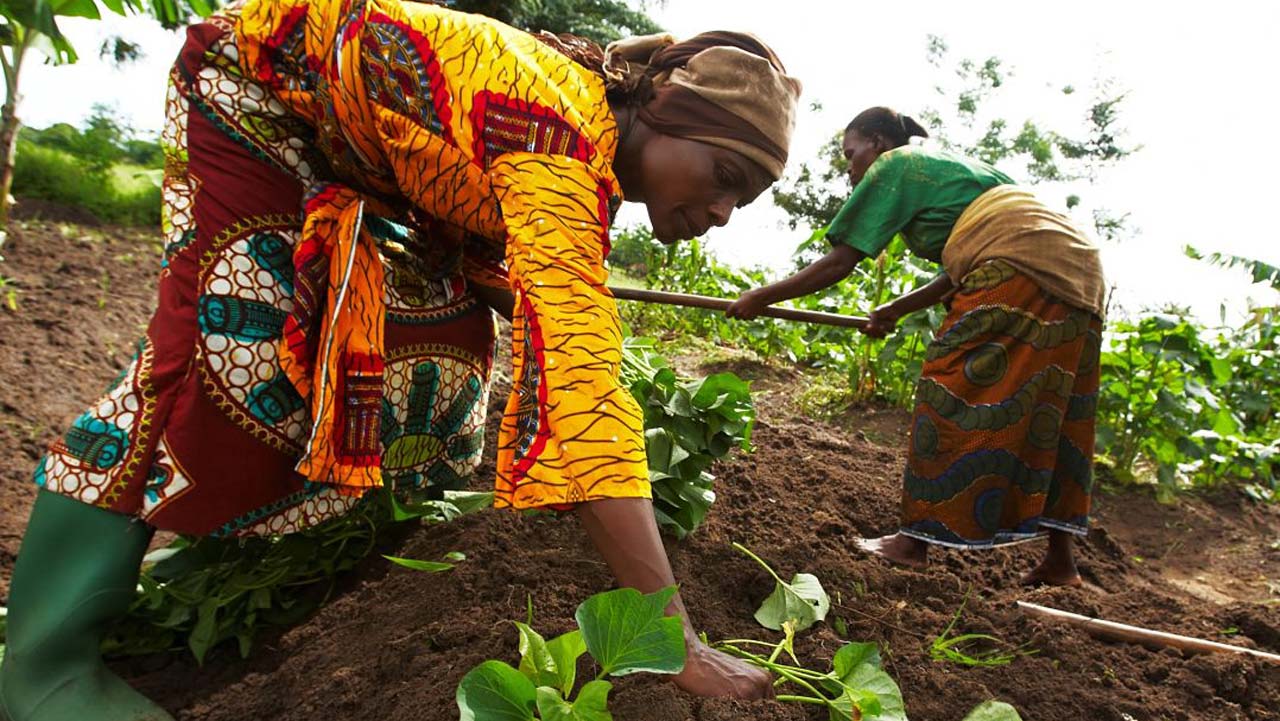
x=84, y=298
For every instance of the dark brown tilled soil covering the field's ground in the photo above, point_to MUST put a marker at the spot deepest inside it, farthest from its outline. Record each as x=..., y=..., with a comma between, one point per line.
x=396, y=642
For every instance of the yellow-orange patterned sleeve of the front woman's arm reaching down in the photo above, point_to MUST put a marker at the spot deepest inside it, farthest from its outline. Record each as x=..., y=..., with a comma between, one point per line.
x=572, y=432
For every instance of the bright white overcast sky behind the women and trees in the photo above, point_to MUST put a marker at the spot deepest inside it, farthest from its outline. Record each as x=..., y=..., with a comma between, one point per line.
x=1203, y=102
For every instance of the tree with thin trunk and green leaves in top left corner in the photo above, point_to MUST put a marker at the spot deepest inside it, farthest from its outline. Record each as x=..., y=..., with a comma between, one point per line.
x=33, y=25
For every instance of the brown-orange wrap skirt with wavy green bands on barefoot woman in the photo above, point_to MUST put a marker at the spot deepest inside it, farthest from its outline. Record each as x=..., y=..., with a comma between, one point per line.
x=1003, y=437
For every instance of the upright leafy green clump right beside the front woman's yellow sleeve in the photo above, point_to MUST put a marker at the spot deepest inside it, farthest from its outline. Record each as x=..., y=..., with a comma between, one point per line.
x=689, y=425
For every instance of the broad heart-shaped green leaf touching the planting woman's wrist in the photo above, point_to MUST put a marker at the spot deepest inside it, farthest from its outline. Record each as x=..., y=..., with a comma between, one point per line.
x=628, y=632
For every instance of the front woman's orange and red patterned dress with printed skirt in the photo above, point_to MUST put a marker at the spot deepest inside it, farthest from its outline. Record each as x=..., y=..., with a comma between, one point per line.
x=340, y=175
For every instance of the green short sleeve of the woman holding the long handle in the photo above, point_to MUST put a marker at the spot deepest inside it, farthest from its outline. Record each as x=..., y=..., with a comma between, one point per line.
x=881, y=206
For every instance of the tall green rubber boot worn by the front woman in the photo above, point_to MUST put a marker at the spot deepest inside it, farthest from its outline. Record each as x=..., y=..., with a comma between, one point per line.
x=76, y=574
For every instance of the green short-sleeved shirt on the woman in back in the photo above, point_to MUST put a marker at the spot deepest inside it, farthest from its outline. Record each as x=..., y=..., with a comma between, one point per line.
x=915, y=191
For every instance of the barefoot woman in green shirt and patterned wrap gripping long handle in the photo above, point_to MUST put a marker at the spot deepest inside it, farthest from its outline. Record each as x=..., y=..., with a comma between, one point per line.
x=1003, y=431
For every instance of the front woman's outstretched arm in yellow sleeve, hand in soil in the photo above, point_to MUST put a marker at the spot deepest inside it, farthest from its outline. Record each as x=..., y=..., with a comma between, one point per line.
x=574, y=436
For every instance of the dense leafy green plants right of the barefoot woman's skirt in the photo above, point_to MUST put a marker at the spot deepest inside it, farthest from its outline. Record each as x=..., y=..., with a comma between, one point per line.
x=1192, y=407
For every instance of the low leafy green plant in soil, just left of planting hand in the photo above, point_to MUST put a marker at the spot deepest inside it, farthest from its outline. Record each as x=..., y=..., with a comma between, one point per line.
x=624, y=631
